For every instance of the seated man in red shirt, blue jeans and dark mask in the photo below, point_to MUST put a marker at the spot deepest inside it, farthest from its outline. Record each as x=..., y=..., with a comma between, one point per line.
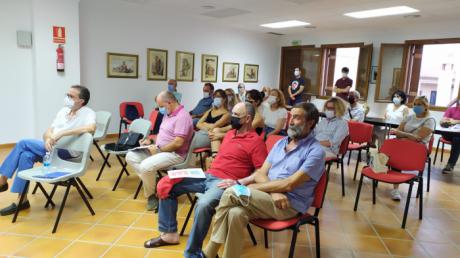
x=242, y=152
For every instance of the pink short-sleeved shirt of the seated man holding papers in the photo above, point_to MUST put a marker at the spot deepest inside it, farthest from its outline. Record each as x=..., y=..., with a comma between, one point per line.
x=177, y=124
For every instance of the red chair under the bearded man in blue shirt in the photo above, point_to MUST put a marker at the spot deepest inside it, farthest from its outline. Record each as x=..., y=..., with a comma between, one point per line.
x=295, y=223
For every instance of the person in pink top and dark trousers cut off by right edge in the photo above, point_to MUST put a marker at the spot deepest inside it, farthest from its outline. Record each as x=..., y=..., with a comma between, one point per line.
x=452, y=117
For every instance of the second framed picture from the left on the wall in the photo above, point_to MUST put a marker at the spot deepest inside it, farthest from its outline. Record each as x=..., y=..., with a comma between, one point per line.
x=157, y=64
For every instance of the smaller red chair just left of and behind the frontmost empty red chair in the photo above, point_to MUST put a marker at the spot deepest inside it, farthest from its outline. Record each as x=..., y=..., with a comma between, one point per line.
x=360, y=139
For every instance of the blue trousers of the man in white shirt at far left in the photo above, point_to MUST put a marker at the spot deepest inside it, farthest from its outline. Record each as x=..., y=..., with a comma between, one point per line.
x=22, y=157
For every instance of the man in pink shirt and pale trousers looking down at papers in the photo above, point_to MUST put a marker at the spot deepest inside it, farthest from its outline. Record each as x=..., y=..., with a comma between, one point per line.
x=171, y=146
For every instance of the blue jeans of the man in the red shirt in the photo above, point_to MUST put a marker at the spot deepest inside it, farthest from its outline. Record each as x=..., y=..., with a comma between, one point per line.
x=204, y=210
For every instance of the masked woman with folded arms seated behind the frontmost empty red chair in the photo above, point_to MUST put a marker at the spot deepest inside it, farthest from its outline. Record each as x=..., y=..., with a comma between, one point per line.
x=416, y=127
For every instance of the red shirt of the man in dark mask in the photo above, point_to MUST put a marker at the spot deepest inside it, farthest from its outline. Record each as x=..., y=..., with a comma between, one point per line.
x=239, y=155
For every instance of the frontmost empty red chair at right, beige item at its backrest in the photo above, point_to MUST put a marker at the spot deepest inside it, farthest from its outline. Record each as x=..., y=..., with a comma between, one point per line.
x=397, y=150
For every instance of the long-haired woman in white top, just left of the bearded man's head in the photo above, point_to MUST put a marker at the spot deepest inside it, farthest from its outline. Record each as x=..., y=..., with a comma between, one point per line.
x=275, y=113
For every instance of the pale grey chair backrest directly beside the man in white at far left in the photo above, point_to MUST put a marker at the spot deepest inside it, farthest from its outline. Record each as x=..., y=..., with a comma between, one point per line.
x=80, y=144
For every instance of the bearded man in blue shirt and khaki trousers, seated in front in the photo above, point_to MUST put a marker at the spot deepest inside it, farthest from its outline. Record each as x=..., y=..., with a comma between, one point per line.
x=283, y=187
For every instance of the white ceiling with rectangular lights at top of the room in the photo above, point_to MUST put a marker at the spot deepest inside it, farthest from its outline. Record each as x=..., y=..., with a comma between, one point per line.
x=323, y=14
